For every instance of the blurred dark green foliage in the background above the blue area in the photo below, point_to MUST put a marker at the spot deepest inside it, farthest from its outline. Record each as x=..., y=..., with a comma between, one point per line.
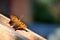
x=46, y=11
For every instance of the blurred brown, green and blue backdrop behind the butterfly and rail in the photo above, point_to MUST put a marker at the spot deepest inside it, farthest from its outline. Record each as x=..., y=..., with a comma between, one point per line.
x=41, y=16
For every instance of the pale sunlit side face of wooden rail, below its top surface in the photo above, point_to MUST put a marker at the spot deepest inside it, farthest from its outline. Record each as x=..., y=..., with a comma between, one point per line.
x=7, y=33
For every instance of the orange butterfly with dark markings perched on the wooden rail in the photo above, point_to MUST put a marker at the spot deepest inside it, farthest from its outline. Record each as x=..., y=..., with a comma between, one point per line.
x=17, y=24
